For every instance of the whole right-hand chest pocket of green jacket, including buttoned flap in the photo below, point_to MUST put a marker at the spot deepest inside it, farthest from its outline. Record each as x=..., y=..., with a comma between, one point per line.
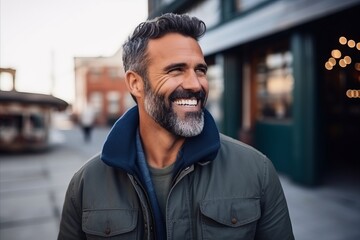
x=234, y=218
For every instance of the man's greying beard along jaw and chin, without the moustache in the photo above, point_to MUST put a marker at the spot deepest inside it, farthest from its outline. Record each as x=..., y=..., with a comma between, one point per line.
x=165, y=116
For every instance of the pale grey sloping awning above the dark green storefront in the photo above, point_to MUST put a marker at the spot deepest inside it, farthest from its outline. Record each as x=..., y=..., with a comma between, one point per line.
x=274, y=17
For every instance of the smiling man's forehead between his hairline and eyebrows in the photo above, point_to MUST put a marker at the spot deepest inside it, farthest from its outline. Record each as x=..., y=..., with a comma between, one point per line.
x=174, y=47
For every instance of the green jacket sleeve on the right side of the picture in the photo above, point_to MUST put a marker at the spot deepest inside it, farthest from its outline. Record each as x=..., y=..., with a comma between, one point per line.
x=275, y=220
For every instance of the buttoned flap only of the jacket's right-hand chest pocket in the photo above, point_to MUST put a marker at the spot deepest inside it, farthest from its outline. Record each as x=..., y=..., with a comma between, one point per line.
x=232, y=212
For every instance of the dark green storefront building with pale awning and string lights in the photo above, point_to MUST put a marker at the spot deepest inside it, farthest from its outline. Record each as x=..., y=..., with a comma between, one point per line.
x=284, y=76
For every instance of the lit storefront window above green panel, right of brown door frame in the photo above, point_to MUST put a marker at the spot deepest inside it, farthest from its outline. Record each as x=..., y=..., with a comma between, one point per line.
x=274, y=86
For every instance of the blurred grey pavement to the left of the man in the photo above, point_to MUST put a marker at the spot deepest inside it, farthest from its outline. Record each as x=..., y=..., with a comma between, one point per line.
x=32, y=186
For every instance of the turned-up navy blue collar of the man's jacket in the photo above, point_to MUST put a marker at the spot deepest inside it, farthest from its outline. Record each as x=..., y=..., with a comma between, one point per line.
x=119, y=149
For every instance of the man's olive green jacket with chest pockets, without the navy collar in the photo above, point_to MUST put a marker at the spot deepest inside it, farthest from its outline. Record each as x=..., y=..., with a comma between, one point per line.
x=237, y=195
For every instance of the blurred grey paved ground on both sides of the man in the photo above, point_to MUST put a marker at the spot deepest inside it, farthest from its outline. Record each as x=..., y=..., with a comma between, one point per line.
x=32, y=188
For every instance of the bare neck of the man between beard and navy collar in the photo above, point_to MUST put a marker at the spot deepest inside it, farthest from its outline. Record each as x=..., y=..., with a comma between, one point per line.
x=160, y=146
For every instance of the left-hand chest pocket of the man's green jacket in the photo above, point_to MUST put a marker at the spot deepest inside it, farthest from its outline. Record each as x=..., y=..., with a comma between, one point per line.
x=110, y=223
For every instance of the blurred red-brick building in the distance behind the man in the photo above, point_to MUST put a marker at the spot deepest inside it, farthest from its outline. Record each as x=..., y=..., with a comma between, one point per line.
x=99, y=81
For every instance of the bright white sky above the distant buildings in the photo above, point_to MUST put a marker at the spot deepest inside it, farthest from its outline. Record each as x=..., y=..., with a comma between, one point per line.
x=40, y=38
